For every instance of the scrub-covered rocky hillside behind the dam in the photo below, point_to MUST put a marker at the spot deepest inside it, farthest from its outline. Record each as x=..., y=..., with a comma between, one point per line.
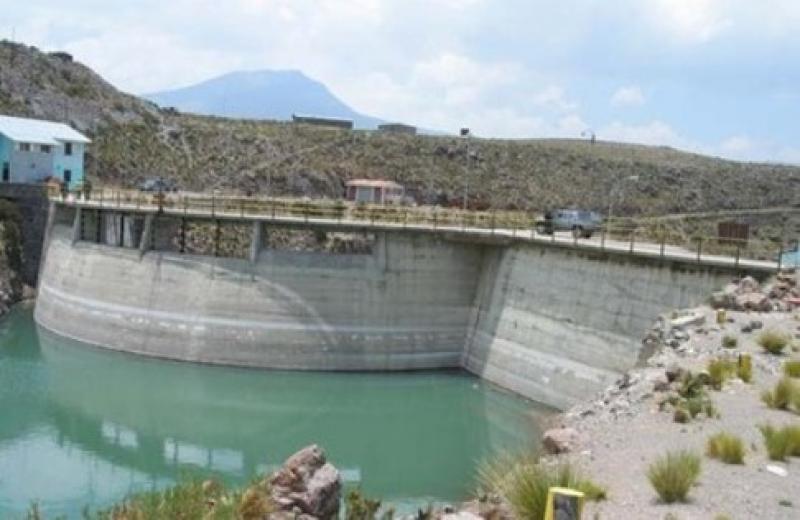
x=134, y=139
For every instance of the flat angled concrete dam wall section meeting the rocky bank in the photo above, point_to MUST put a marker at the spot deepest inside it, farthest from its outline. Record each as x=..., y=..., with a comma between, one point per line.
x=561, y=324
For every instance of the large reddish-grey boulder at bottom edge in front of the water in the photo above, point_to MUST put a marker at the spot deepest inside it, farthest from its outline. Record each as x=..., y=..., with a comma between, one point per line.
x=308, y=483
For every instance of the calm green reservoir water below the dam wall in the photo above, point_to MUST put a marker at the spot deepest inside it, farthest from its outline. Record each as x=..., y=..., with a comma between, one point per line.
x=80, y=426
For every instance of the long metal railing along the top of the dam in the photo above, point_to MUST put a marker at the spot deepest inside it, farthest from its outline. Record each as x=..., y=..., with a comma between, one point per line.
x=649, y=238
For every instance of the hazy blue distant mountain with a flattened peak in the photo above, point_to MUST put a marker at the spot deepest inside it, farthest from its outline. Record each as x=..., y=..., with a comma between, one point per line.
x=262, y=94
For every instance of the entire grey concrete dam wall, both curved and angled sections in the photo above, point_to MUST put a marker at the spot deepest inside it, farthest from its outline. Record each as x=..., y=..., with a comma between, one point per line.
x=552, y=323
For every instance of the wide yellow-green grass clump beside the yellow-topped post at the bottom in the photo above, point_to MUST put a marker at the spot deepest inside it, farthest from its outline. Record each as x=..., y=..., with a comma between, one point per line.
x=524, y=483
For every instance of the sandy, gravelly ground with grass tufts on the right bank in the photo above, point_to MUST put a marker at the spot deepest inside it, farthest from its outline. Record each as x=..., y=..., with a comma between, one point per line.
x=623, y=435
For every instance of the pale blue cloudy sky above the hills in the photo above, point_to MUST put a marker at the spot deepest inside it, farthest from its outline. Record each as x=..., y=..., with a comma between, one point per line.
x=720, y=77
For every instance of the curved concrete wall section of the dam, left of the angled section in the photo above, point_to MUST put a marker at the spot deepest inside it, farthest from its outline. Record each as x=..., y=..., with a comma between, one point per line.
x=406, y=306
